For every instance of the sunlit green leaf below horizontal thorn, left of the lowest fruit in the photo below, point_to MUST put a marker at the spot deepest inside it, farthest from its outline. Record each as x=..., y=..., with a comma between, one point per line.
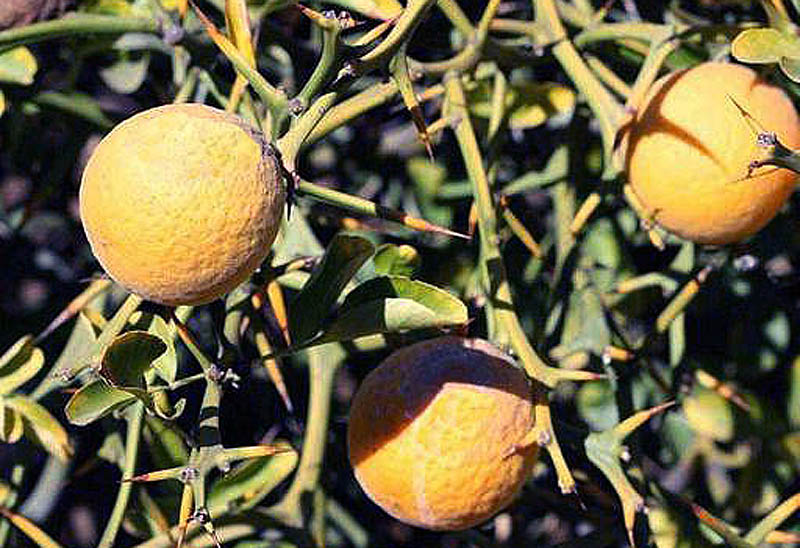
x=248, y=483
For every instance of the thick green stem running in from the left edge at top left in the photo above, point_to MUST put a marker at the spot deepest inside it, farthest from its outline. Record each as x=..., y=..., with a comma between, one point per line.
x=79, y=24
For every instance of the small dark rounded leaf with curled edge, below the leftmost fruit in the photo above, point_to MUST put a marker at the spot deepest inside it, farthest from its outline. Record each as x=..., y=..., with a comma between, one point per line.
x=129, y=356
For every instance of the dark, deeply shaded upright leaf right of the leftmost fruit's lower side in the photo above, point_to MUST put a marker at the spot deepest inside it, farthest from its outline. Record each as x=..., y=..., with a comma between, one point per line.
x=344, y=256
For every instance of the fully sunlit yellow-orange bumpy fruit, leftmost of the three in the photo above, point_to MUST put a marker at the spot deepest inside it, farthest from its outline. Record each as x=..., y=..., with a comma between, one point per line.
x=181, y=203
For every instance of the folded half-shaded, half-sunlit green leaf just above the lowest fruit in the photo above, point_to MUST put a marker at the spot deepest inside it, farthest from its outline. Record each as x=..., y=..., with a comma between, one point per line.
x=393, y=304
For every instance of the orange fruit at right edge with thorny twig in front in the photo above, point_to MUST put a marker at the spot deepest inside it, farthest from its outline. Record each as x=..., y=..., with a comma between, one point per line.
x=690, y=147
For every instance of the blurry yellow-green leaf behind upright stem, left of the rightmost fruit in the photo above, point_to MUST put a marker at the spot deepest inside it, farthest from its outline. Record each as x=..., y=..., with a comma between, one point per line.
x=528, y=104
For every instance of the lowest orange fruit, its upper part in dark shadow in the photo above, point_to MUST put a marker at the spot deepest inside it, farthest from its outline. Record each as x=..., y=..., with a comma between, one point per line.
x=430, y=430
